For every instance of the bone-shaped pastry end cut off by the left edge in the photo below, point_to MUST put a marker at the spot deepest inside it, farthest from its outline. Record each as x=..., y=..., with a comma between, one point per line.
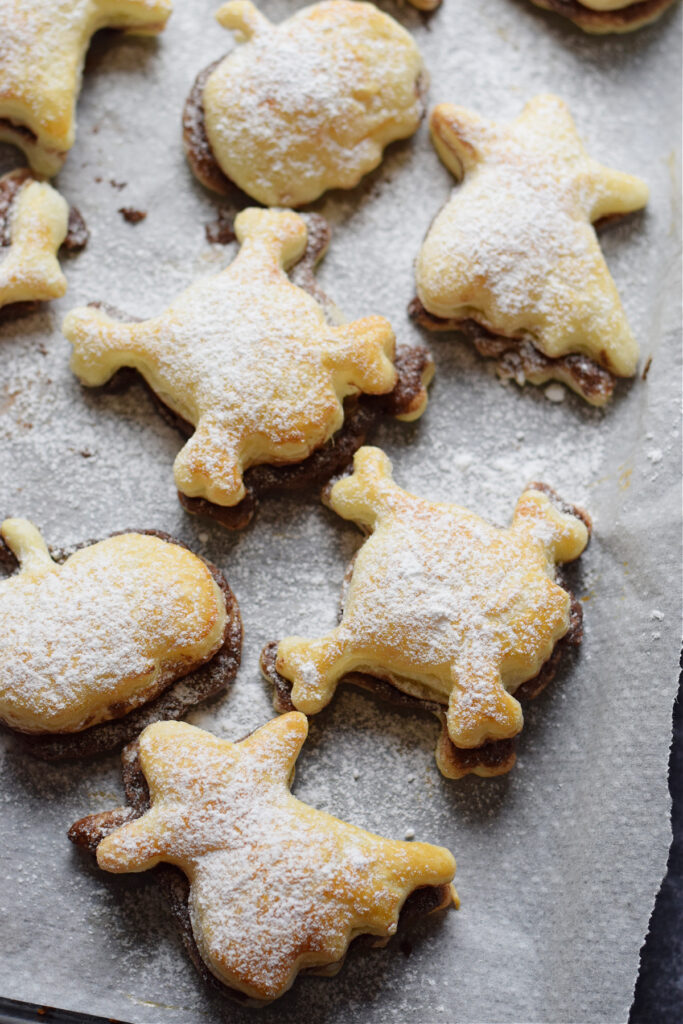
x=35, y=223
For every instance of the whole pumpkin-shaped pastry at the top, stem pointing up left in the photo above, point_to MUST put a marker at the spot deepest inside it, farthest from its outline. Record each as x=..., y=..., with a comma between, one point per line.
x=306, y=106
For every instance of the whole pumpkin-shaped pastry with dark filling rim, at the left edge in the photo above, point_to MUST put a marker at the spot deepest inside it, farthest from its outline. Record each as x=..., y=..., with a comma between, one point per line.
x=105, y=633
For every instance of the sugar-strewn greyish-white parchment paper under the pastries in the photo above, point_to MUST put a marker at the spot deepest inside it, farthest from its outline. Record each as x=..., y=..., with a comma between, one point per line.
x=559, y=863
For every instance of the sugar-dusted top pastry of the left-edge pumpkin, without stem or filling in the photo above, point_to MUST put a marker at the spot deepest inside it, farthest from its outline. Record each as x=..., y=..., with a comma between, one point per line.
x=99, y=631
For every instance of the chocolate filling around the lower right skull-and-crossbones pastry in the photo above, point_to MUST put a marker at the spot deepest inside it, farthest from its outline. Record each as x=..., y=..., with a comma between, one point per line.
x=496, y=756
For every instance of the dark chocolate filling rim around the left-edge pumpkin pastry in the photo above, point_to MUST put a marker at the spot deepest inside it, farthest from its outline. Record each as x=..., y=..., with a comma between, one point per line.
x=180, y=695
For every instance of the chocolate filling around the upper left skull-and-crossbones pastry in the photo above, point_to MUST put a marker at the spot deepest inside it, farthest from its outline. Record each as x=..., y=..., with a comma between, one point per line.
x=362, y=413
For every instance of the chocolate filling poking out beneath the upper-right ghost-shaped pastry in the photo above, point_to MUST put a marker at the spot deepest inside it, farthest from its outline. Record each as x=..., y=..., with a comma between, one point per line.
x=519, y=359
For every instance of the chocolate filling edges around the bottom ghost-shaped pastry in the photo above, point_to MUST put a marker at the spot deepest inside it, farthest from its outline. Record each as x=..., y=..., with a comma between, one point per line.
x=90, y=832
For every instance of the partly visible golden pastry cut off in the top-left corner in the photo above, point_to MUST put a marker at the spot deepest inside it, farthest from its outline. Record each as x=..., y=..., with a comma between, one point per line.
x=44, y=48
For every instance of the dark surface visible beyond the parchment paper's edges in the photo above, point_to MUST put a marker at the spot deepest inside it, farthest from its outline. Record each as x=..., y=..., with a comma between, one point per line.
x=659, y=996
